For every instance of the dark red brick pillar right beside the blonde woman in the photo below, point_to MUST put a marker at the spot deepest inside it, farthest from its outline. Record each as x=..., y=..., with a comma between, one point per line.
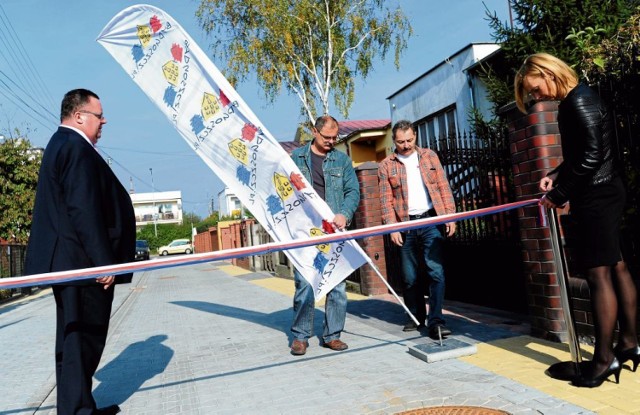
x=535, y=149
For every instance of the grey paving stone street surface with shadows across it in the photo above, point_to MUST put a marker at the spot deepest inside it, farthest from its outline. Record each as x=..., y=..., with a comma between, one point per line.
x=197, y=340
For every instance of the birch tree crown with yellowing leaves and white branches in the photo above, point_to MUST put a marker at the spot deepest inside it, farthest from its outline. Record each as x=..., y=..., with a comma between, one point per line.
x=314, y=49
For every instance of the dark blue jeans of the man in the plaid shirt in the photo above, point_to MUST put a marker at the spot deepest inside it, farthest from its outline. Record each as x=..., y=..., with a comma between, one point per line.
x=428, y=243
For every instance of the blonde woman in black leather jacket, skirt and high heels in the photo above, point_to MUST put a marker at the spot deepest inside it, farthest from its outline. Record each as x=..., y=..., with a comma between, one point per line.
x=589, y=179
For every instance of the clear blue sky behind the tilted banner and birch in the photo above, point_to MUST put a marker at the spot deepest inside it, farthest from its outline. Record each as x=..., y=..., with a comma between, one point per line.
x=59, y=39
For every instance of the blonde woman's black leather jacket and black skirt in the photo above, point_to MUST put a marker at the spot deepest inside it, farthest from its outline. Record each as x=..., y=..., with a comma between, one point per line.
x=589, y=177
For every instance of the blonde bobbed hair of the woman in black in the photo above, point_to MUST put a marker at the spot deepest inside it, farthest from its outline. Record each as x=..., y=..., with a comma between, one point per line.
x=544, y=65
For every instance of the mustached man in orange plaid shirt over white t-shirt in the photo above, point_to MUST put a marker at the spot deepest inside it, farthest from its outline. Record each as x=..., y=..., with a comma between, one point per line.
x=413, y=186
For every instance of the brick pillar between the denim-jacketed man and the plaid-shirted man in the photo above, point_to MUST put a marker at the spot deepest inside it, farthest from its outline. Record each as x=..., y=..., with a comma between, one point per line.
x=367, y=215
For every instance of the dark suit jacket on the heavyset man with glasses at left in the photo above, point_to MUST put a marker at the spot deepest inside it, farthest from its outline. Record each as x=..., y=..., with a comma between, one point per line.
x=83, y=216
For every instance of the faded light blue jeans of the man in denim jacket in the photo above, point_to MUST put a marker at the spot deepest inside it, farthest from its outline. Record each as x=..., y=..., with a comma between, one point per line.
x=335, y=310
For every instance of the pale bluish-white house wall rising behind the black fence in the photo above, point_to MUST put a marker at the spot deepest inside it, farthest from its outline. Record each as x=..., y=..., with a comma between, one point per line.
x=443, y=86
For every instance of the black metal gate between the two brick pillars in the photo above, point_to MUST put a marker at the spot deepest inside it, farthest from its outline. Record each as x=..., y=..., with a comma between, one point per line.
x=483, y=259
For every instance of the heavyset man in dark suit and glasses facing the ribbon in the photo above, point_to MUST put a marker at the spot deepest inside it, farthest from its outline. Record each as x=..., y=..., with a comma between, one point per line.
x=83, y=217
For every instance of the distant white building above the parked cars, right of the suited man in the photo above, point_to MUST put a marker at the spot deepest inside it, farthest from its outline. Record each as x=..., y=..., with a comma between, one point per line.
x=158, y=207
